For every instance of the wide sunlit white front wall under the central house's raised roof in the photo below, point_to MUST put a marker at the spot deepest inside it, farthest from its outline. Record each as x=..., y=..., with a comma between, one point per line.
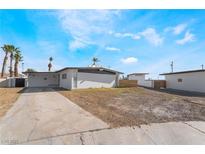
x=94, y=80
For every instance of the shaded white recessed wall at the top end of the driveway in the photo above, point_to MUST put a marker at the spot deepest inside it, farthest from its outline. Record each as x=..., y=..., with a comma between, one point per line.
x=38, y=80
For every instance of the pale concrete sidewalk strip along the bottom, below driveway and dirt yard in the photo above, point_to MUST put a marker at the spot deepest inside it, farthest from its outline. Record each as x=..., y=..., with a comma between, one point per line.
x=163, y=133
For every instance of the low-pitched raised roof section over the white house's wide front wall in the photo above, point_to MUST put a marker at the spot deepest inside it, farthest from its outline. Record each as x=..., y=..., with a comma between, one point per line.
x=90, y=68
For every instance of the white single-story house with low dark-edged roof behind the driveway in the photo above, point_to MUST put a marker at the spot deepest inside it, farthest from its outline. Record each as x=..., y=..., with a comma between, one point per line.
x=75, y=78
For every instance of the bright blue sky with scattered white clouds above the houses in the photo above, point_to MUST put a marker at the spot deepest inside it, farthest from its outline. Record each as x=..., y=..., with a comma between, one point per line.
x=125, y=40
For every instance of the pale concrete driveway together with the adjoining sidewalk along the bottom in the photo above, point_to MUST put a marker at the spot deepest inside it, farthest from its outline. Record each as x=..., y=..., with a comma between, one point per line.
x=42, y=116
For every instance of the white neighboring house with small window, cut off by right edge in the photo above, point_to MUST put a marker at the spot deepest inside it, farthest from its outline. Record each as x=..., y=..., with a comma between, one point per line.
x=193, y=80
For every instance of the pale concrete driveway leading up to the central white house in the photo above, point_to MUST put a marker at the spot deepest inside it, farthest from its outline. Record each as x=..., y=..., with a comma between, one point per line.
x=41, y=113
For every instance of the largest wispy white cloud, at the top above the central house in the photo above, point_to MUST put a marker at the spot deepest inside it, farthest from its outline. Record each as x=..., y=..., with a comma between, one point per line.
x=87, y=24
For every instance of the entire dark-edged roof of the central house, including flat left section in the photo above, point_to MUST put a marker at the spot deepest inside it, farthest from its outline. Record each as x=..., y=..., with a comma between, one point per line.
x=82, y=69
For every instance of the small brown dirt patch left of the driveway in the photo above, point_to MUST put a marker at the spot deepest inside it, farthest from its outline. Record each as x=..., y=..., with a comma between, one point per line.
x=7, y=98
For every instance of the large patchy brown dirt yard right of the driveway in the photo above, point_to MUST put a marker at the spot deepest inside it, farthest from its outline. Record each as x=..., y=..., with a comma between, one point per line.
x=136, y=106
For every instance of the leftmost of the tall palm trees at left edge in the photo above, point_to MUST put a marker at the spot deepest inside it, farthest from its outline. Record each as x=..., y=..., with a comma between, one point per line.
x=7, y=49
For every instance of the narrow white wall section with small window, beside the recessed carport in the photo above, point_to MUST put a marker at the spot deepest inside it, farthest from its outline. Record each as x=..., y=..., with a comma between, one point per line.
x=68, y=82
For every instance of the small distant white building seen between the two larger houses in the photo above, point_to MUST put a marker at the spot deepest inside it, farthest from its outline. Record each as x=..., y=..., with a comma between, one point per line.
x=141, y=81
